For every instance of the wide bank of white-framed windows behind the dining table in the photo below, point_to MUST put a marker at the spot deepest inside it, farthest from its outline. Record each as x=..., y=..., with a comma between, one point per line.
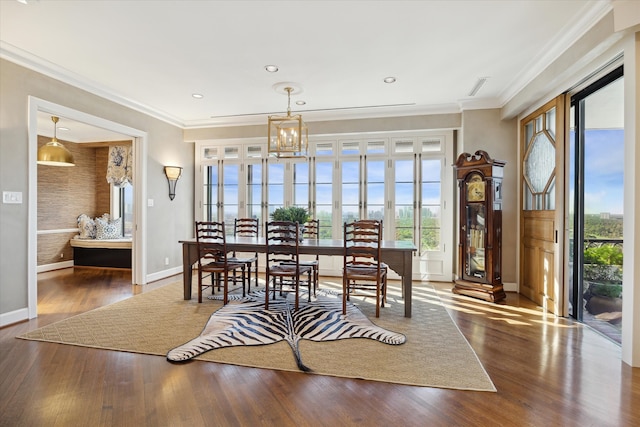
x=398, y=178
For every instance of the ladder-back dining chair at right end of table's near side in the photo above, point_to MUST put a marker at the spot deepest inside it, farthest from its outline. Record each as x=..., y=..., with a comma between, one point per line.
x=363, y=272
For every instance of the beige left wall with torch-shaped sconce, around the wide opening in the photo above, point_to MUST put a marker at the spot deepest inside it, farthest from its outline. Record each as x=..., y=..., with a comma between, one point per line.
x=164, y=145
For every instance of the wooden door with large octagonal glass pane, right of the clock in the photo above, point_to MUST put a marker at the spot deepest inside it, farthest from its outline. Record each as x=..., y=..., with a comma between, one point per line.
x=543, y=135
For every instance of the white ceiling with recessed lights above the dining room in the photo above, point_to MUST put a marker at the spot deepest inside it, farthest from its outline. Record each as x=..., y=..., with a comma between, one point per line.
x=153, y=55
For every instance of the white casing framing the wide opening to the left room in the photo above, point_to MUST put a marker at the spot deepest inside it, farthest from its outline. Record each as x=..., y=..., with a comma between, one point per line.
x=139, y=138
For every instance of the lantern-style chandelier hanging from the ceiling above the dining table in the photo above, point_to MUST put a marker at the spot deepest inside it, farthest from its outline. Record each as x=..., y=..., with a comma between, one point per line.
x=288, y=135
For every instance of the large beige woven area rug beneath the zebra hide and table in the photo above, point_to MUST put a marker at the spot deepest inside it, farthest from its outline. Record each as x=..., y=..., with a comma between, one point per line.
x=436, y=354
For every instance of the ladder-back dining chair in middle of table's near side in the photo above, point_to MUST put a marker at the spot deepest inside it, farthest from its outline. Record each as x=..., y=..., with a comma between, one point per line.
x=283, y=260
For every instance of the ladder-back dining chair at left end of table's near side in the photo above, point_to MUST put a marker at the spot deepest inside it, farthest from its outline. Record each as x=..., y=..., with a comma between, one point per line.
x=213, y=259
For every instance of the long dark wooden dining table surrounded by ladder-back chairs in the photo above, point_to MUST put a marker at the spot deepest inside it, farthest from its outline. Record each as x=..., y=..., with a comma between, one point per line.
x=397, y=254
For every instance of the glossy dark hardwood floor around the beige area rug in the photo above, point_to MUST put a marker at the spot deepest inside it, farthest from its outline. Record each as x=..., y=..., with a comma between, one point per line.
x=548, y=372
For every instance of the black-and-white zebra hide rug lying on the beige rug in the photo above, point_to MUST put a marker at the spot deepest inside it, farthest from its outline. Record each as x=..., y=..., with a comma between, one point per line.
x=244, y=321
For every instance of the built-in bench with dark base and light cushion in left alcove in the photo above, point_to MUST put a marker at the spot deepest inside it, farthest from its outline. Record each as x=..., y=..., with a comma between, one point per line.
x=115, y=253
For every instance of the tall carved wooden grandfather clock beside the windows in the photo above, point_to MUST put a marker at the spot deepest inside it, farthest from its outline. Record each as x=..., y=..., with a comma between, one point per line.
x=479, y=251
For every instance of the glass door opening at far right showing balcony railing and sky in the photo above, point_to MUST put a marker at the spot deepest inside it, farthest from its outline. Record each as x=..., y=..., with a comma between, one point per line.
x=596, y=206
